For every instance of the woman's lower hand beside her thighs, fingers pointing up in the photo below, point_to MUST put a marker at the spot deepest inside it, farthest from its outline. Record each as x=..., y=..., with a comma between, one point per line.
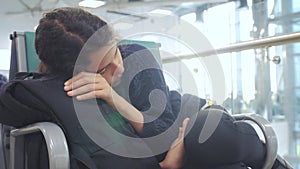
x=174, y=158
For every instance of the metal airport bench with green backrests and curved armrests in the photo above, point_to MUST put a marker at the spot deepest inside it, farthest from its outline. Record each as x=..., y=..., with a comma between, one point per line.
x=24, y=59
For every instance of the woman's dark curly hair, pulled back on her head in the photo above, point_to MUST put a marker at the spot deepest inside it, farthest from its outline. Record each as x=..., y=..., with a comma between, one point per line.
x=63, y=32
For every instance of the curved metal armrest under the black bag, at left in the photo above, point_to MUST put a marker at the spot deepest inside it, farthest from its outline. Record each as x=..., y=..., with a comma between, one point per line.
x=56, y=144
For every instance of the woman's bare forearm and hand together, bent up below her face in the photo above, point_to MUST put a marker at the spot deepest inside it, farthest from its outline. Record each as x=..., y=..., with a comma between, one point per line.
x=86, y=86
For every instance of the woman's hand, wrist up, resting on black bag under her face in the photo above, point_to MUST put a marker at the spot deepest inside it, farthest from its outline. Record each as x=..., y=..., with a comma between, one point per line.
x=87, y=85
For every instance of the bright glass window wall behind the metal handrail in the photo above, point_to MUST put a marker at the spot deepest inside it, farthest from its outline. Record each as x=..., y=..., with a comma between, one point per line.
x=260, y=80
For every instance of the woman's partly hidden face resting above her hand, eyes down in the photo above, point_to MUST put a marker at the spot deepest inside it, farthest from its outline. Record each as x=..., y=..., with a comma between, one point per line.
x=108, y=62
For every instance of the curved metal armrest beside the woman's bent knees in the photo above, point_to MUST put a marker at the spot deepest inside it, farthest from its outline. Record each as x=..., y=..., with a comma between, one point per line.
x=269, y=134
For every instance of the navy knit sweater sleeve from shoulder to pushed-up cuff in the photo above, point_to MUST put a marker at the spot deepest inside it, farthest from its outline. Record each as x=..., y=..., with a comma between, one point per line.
x=148, y=91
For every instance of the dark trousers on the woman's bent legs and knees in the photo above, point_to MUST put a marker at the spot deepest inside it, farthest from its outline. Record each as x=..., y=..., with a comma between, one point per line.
x=232, y=142
